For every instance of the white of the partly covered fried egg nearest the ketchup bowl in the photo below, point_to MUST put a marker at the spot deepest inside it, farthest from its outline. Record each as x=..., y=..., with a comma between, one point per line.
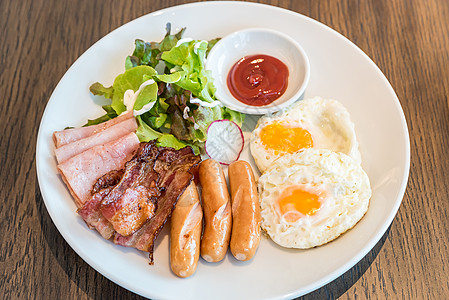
x=328, y=122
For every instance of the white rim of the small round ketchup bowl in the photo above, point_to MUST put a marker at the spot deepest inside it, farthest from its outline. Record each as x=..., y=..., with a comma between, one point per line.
x=274, y=106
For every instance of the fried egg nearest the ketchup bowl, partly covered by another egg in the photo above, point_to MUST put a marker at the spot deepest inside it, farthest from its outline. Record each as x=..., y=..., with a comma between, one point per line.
x=310, y=123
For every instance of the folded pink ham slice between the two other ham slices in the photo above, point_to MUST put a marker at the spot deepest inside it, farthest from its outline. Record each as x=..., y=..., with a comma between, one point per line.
x=102, y=137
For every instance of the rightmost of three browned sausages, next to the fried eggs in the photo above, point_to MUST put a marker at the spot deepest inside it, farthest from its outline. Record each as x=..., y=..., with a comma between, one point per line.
x=246, y=218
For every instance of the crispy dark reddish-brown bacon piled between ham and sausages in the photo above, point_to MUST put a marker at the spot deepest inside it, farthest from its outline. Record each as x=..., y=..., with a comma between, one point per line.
x=132, y=205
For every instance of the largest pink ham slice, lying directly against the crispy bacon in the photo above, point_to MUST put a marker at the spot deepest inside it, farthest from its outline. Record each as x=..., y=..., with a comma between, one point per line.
x=82, y=171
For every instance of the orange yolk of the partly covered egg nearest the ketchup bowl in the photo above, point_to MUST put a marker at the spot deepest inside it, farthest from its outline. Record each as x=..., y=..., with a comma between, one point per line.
x=281, y=137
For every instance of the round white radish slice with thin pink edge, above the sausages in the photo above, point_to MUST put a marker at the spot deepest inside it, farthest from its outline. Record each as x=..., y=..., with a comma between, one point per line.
x=224, y=141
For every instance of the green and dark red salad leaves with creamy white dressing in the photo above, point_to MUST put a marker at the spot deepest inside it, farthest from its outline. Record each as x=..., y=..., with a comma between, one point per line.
x=175, y=105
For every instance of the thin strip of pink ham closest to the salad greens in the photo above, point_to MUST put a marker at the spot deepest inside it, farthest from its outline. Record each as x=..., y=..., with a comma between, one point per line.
x=66, y=136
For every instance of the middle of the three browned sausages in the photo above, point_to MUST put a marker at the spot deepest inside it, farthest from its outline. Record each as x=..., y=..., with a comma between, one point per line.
x=217, y=211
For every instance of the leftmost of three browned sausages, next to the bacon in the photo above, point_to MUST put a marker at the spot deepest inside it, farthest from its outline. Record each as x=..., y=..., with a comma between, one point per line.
x=185, y=233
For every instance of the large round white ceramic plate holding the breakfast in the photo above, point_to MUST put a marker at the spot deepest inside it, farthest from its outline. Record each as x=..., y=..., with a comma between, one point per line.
x=339, y=70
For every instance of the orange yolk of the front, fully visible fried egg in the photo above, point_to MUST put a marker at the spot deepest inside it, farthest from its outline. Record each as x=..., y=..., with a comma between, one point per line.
x=295, y=202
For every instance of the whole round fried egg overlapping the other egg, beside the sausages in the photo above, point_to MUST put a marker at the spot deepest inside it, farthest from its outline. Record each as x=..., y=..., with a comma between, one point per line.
x=311, y=197
